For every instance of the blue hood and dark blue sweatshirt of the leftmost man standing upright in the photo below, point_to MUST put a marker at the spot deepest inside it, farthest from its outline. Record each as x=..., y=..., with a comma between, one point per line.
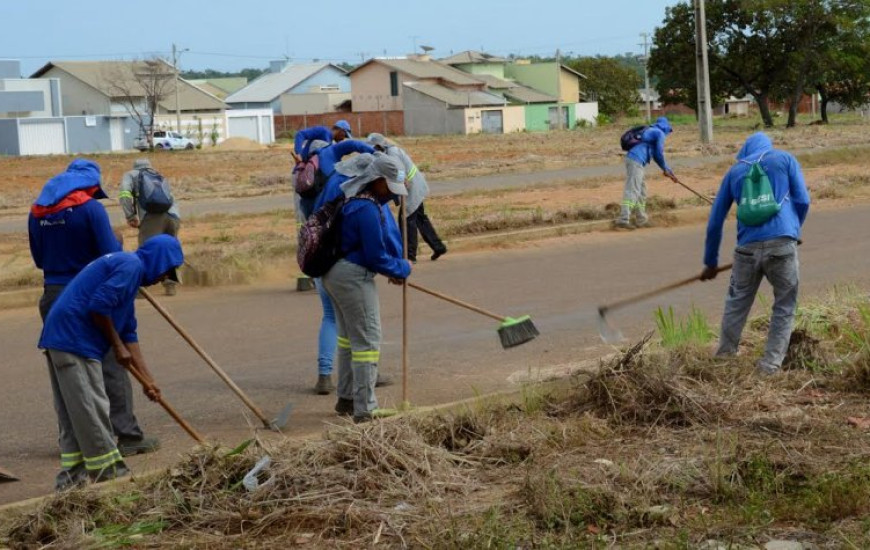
x=63, y=243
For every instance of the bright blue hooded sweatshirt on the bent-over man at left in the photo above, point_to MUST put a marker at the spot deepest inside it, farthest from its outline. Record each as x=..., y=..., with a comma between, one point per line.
x=107, y=286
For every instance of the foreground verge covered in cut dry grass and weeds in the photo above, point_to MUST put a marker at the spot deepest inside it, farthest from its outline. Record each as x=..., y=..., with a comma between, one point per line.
x=661, y=446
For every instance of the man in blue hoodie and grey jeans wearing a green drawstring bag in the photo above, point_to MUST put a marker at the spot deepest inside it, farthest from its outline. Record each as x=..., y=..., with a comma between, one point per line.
x=773, y=202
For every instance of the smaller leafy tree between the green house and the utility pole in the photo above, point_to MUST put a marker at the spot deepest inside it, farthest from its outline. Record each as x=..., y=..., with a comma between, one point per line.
x=610, y=82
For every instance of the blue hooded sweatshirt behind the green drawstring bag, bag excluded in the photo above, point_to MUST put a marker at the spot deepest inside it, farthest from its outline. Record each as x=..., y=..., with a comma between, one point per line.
x=789, y=189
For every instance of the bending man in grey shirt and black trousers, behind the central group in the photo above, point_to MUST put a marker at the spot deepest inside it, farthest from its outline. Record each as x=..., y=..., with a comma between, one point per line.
x=418, y=190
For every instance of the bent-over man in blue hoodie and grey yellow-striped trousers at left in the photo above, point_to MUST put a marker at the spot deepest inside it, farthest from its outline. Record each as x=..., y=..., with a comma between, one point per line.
x=95, y=315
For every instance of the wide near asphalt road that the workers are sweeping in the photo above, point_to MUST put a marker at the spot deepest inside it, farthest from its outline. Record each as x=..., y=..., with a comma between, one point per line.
x=264, y=336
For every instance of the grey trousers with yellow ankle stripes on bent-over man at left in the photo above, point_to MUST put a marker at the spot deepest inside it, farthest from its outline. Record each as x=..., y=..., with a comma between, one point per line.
x=82, y=409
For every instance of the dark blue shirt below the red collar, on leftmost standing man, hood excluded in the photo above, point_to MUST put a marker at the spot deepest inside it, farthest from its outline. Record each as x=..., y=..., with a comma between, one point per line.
x=63, y=243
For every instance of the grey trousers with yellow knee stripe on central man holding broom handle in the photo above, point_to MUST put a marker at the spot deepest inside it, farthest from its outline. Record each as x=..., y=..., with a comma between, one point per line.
x=354, y=294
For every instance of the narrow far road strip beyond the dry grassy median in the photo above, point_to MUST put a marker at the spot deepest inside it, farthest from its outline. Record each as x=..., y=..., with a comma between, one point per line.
x=13, y=222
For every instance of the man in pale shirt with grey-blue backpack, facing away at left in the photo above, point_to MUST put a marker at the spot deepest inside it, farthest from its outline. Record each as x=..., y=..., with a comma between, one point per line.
x=152, y=212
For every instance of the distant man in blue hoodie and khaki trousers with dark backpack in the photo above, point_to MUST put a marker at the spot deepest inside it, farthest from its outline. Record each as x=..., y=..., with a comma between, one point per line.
x=650, y=145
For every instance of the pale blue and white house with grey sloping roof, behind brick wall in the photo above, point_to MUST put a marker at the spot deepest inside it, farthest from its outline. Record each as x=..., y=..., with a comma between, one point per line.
x=296, y=89
